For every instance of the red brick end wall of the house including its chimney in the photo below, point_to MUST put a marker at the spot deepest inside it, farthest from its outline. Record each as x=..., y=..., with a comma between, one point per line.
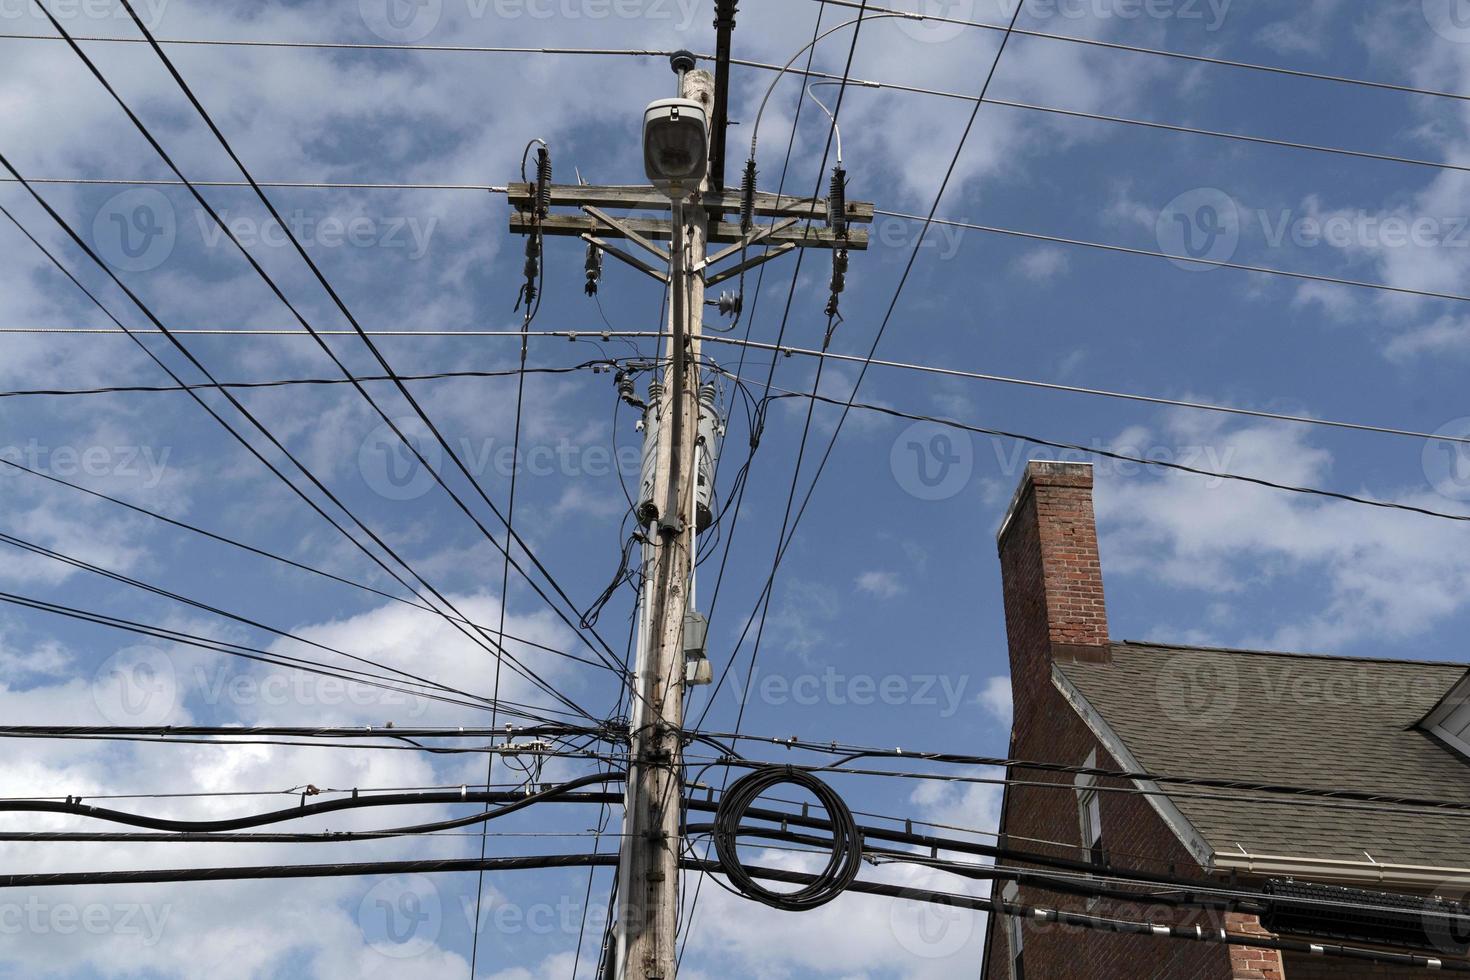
x=1055, y=608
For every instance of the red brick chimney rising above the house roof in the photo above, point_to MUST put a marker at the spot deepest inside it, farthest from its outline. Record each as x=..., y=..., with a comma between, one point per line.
x=1052, y=574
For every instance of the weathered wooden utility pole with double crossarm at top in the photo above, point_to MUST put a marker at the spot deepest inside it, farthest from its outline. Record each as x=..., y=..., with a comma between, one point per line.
x=670, y=509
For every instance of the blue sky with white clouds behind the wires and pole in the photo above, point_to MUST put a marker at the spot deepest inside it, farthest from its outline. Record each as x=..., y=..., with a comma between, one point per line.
x=887, y=583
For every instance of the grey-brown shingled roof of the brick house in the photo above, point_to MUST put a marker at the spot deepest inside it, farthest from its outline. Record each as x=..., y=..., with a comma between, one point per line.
x=1319, y=722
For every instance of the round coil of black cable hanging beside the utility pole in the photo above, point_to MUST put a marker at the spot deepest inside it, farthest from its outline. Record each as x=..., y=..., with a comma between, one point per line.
x=847, y=841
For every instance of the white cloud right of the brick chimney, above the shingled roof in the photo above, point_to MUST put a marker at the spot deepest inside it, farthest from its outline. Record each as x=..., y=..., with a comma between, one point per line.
x=1377, y=575
